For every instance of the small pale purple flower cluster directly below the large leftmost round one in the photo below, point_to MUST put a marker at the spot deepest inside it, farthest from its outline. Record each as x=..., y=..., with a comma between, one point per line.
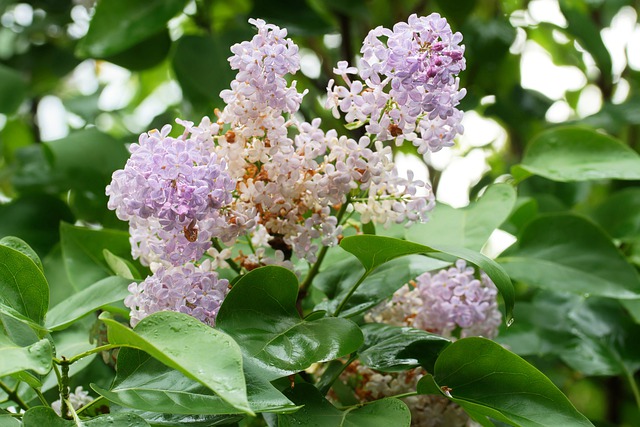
x=196, y=291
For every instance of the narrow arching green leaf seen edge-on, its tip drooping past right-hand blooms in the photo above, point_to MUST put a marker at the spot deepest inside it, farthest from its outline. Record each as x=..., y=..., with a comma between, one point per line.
x=373, y=251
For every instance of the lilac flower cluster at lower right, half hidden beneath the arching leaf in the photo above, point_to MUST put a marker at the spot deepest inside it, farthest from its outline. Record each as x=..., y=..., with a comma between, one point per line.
x=449, y=301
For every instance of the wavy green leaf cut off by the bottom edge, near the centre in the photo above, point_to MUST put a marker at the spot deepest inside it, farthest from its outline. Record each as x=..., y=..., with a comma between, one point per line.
x=318, y=412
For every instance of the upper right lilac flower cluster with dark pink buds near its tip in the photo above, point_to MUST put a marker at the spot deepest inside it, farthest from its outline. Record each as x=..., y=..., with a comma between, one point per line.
x=411, y=89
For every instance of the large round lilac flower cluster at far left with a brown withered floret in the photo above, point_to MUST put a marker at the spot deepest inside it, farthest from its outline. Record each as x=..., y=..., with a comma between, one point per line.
x=171, y=191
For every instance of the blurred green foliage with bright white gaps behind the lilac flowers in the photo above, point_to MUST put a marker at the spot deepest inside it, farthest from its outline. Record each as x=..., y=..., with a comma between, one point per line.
x=80, y=80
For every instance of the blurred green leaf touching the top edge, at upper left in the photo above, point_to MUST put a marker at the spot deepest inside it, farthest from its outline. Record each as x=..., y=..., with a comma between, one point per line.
x=120, y=24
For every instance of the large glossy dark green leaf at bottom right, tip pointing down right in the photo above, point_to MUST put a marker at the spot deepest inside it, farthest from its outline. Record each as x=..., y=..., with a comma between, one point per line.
x=485, y=379
